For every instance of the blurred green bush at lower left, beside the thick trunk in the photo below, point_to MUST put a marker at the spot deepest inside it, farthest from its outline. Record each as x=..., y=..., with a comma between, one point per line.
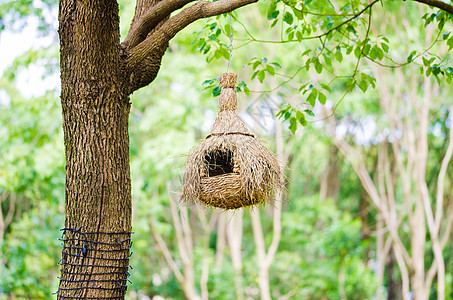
x=30, y=270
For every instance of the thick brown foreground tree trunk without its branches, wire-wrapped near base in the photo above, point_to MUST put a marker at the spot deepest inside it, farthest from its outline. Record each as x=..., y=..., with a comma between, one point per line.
x=95, y=106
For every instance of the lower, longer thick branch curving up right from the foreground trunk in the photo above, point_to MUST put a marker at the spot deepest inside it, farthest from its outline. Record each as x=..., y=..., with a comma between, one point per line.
x=144, y=60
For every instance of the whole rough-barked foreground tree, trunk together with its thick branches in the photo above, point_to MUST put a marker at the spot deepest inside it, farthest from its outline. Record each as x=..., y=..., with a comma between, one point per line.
x=98, y=73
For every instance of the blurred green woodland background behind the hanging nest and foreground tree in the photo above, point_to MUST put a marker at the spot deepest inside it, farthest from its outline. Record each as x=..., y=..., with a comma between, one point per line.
x=355, y=223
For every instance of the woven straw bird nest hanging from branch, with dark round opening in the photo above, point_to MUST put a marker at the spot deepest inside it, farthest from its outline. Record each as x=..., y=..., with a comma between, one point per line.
x=231, y=168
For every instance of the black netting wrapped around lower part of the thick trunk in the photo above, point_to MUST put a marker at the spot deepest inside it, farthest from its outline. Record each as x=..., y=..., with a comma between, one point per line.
x=87, y=251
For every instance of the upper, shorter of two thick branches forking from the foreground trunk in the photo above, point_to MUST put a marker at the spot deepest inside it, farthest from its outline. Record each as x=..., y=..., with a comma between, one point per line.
x=149, y=20
